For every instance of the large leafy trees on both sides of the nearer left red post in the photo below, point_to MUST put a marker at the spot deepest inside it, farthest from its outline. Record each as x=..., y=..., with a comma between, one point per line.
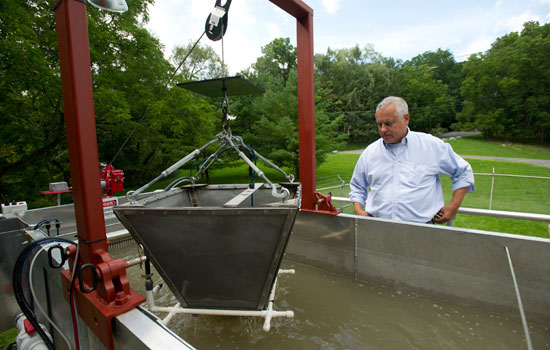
x=129, y=75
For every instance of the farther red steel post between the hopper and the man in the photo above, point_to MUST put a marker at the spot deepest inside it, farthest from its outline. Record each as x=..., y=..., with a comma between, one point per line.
x=306, y=96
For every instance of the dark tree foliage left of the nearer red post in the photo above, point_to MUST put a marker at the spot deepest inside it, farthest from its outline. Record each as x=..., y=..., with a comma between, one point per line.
x=30, y=98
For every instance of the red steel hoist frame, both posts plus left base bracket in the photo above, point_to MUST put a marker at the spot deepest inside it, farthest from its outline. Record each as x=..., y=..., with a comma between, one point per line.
x=98, y=308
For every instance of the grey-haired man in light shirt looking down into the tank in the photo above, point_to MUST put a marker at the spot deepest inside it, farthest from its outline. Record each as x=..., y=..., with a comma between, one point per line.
x=401, y=171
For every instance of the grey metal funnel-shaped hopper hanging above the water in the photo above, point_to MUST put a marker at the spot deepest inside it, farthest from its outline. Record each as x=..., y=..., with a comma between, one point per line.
x=216, y=246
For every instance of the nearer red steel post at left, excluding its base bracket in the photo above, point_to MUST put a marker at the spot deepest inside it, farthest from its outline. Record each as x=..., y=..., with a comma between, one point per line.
x=76, y=79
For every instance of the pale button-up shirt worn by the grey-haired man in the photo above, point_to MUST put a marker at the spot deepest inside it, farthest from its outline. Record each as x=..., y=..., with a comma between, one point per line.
x=401, y=181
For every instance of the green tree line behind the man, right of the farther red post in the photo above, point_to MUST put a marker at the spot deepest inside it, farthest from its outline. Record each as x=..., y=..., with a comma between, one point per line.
x=504, y=92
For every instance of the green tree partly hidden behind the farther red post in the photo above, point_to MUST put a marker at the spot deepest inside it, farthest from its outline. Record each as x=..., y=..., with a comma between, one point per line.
x=270, y=122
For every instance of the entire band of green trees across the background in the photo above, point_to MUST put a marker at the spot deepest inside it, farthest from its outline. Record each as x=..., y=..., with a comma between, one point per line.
x=502, y=92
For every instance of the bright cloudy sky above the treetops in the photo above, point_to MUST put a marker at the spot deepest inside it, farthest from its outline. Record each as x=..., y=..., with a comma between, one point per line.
x=399, y=29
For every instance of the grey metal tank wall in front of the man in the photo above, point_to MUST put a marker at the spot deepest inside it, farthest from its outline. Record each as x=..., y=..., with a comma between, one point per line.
x=462, y=266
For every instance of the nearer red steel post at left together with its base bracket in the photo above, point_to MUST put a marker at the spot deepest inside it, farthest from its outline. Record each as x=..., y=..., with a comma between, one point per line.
x=113, y=294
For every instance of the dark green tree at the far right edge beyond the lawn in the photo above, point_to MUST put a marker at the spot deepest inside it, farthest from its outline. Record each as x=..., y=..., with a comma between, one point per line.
x=506, y=89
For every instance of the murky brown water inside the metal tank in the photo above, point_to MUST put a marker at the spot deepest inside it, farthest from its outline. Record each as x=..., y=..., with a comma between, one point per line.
x=333, y=312
